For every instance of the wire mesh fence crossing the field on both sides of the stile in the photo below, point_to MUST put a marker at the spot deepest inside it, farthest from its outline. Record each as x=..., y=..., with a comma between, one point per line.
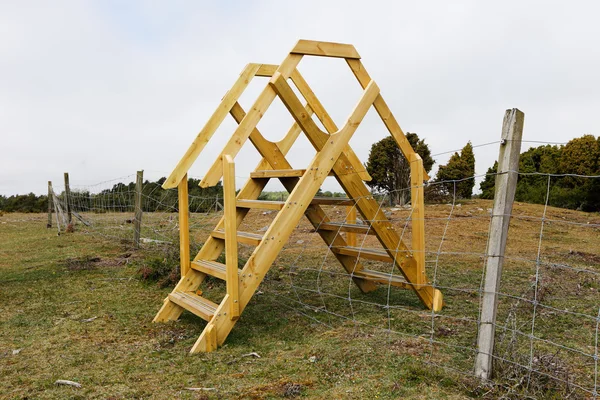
x=549, y=308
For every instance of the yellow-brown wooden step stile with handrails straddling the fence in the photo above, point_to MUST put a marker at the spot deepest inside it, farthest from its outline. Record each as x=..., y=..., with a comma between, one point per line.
x=334, y=157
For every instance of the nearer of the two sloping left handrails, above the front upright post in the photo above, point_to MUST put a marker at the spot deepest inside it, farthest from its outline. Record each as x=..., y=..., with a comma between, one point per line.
x=248, y=124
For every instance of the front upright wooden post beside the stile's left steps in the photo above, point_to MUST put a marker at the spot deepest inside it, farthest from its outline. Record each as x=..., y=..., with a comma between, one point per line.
x=231, y=257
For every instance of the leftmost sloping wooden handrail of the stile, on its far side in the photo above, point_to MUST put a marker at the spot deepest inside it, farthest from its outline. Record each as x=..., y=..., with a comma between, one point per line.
x=211, y=126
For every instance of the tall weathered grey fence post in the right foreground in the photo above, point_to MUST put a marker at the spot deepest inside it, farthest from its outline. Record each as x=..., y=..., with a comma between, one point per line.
x=504, y=195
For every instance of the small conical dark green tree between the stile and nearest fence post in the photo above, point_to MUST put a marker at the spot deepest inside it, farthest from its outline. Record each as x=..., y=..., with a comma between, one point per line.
x=458, y=173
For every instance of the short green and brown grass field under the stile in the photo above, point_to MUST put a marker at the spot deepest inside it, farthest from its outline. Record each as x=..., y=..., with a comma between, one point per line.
x=74, y=307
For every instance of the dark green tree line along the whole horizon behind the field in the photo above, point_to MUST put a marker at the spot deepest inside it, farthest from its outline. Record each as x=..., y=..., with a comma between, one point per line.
x=554, y=171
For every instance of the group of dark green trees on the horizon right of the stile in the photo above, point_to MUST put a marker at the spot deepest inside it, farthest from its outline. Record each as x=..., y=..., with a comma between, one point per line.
x=567, y=186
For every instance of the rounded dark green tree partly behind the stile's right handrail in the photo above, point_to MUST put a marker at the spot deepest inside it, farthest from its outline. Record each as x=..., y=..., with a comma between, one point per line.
x=390, y=170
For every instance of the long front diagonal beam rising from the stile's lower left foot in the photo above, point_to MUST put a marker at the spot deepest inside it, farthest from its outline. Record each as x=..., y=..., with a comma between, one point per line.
x=285, y=222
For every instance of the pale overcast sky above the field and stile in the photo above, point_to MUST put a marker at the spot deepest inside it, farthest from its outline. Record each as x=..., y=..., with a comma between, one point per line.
x=103, y=88
